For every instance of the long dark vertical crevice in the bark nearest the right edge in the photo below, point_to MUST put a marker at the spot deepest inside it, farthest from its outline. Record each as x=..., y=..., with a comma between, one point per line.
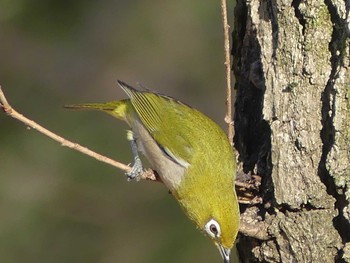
x=337, y=48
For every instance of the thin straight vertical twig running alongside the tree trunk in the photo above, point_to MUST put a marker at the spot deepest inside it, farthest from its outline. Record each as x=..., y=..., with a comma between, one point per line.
x=228, y=117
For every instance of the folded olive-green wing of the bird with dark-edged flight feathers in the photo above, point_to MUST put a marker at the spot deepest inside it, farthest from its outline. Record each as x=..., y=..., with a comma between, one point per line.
x=165, y=119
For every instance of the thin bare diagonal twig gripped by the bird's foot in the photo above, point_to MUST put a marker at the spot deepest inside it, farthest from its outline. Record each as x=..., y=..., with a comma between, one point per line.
x=148, y=175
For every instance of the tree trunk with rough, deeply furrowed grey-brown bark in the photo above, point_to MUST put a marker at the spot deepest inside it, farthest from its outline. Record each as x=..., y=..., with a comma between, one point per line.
x=291, y=61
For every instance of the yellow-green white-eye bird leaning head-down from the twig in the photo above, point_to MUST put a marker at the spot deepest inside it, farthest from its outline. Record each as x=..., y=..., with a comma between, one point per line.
x=191, y=155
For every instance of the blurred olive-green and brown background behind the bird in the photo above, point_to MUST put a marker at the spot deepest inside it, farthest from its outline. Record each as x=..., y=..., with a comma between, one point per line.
x=57, y=205
